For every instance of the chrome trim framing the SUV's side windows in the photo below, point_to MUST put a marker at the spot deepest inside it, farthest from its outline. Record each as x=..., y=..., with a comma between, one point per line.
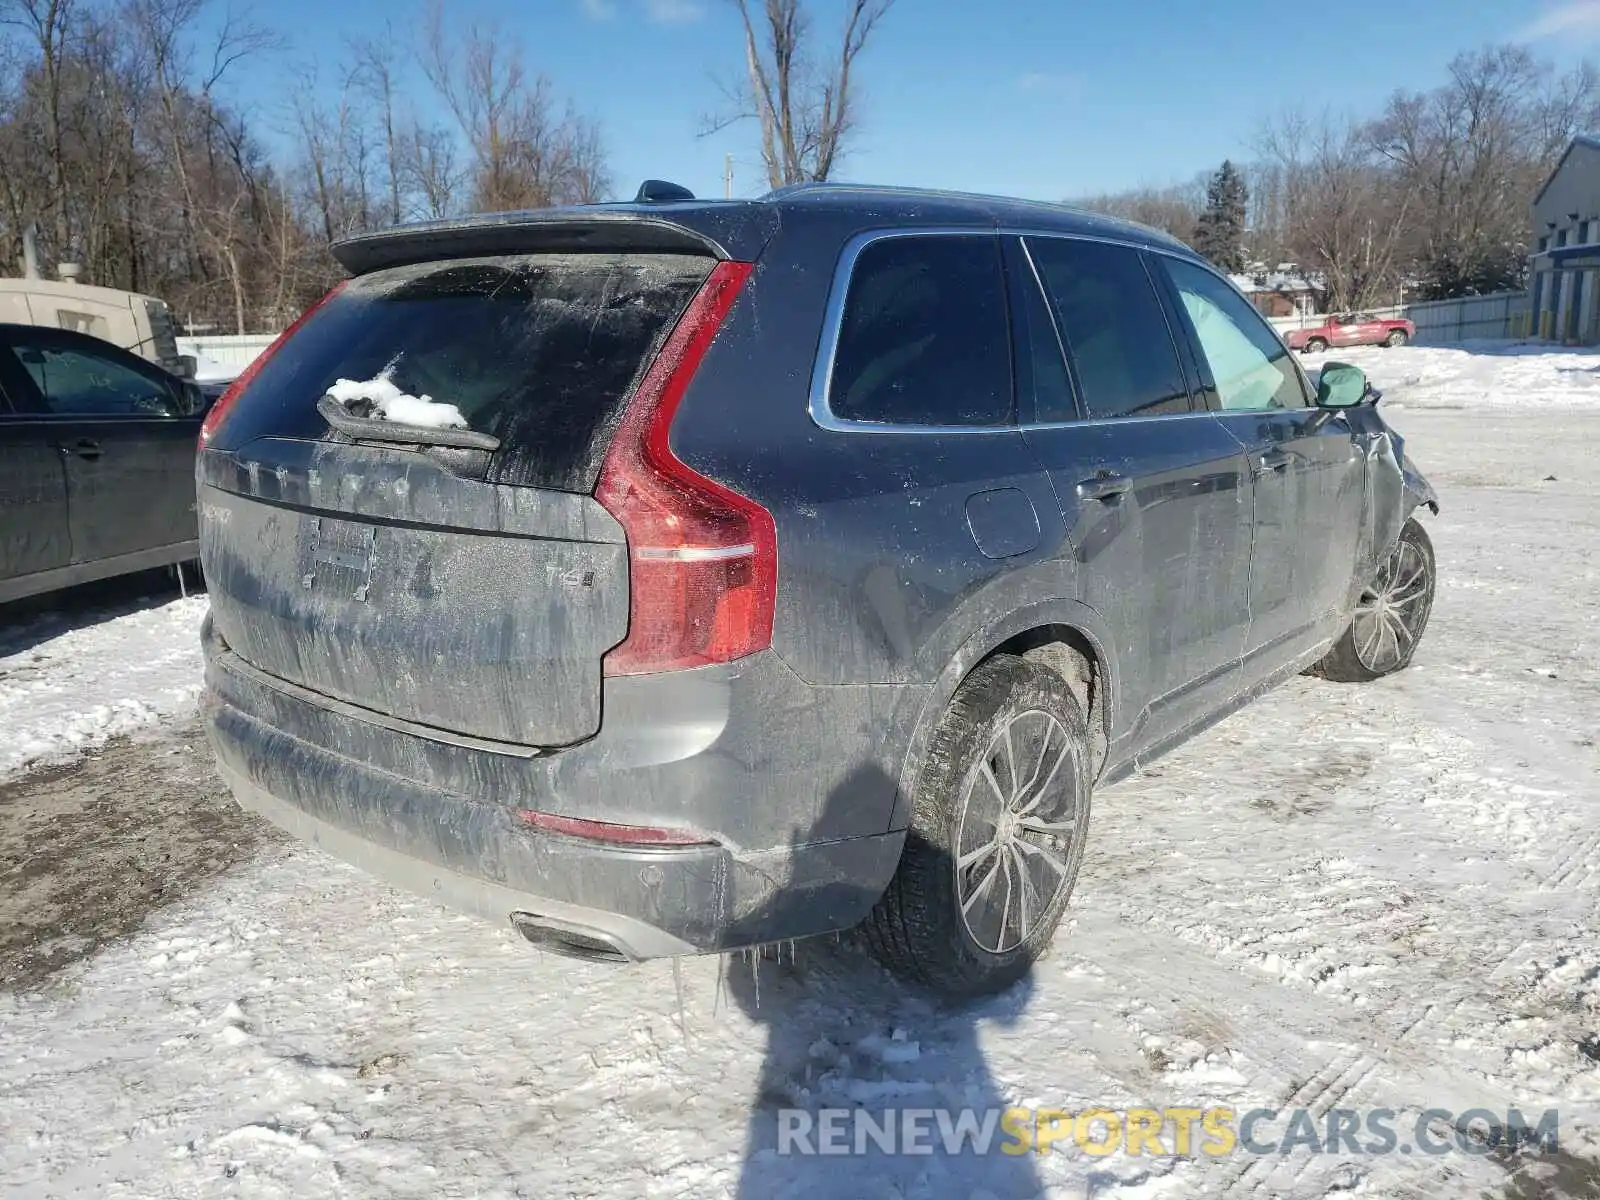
x=834, y=319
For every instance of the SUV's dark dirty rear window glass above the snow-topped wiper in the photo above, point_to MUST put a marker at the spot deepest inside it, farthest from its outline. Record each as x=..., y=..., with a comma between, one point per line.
x=542, y=351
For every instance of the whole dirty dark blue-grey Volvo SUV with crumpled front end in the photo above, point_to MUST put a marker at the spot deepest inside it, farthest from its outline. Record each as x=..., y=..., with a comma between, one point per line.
x=678, y=577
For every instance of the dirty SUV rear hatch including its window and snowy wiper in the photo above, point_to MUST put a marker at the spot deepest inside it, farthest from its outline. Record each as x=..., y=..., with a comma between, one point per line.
x=462, y=580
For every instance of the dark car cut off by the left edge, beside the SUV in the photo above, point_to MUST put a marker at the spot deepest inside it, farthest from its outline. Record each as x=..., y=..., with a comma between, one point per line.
x=97, y=462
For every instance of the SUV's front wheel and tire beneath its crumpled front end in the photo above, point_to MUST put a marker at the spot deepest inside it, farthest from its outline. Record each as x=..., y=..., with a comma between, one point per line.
x=1399, y=593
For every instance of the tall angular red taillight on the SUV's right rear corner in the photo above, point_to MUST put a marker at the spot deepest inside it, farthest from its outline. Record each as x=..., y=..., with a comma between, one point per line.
x=703, y=561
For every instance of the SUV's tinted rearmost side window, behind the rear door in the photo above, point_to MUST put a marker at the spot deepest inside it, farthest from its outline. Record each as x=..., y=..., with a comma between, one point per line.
x=926, y=338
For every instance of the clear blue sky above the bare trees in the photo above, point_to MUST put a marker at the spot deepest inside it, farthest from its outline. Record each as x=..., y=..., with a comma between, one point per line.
x=1034, y=98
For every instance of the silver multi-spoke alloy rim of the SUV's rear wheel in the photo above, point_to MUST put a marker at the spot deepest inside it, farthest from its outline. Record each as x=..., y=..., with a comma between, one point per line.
x=1015, y=841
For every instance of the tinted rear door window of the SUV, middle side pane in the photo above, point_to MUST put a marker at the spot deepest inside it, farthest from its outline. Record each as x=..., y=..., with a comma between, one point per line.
x=1114, y=329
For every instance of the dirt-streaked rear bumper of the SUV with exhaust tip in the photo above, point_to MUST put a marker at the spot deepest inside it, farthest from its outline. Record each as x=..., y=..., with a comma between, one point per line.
x=292, y=761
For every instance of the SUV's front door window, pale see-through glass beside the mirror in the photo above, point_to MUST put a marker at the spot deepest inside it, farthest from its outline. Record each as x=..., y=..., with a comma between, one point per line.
x=1252, y=369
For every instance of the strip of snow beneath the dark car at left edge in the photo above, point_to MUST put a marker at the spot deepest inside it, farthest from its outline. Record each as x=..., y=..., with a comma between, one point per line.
x=70, y=686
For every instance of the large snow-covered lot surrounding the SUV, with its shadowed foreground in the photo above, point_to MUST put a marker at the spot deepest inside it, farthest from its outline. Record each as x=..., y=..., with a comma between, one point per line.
x=1340, y=898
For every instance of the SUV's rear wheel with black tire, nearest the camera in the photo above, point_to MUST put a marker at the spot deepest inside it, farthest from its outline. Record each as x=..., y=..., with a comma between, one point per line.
x=919, y=929
